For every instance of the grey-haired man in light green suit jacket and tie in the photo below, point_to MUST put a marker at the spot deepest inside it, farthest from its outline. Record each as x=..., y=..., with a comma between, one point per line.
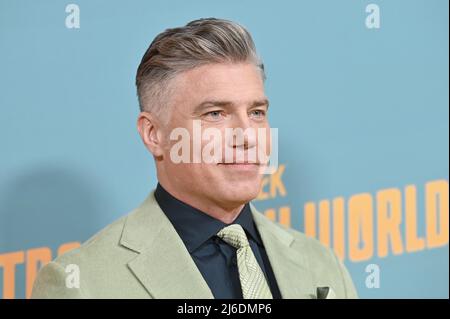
x=197, y=235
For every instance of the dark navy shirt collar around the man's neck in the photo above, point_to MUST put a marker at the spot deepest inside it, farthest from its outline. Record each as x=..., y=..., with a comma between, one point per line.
x=196, y=227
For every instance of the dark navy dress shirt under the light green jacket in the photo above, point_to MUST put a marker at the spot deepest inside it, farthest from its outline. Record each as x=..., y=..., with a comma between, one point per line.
x=215, y=259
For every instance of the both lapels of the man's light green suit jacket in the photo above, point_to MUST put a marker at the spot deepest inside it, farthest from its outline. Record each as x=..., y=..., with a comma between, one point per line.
x=165, y=268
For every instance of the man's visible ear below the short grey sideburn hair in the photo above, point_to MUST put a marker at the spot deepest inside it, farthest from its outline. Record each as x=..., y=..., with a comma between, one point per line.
x=149, y=129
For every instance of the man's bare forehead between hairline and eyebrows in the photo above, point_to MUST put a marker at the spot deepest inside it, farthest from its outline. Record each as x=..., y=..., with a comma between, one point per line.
x=236, y=82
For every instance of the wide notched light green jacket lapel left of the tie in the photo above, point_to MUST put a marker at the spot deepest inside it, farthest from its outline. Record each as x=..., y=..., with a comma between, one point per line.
x=163, y=264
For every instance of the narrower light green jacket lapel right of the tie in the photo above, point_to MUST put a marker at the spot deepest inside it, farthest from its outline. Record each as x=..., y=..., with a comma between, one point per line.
x=290, y=268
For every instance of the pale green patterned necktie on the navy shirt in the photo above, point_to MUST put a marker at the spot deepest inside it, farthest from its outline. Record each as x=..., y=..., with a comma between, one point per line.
x=253, y=282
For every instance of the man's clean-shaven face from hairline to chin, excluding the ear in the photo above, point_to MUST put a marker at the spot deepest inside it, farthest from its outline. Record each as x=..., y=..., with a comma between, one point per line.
x=236, y=93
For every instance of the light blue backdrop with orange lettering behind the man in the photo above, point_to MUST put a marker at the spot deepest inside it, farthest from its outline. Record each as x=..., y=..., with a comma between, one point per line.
x=359, y=110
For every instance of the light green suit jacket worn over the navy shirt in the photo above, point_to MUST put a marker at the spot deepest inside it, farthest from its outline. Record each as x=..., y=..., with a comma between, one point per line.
x=142, y=256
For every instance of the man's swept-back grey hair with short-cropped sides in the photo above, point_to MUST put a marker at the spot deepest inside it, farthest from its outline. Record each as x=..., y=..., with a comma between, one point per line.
x=180, y=49
